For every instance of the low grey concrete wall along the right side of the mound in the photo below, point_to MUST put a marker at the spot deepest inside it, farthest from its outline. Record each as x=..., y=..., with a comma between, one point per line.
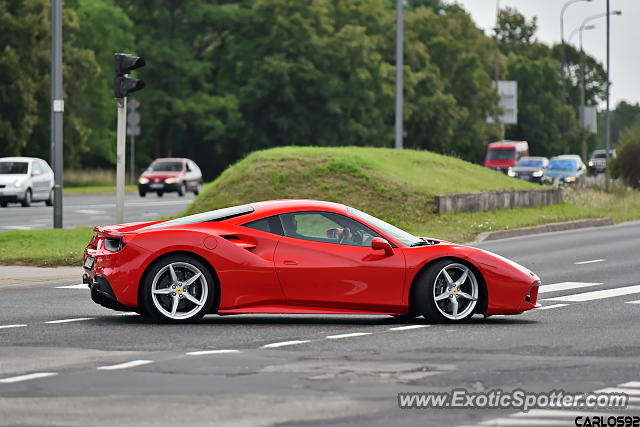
x=494, y=200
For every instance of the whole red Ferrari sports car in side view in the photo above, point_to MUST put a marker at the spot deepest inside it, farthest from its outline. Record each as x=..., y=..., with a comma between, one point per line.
x=296, y=256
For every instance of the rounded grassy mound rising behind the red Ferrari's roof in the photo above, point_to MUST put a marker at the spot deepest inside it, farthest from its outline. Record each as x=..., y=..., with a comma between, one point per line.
x=397, y=186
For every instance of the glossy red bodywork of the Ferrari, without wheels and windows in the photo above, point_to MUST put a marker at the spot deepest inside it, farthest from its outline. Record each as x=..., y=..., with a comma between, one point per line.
x=261, y=272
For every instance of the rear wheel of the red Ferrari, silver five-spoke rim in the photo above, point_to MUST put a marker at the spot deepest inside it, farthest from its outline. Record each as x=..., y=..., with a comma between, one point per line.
x=177, y=289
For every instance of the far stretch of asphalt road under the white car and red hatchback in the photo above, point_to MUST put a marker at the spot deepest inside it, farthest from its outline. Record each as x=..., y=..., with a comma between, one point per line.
x=90, y=210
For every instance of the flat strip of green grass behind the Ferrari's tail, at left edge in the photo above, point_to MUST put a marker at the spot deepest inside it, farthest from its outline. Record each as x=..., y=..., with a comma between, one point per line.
x=44, y=247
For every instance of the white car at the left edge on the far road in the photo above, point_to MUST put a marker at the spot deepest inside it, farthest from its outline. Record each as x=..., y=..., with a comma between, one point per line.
x=24, y=180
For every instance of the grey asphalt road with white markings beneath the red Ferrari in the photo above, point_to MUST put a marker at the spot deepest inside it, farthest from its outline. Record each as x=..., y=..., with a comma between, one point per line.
x=110, y=369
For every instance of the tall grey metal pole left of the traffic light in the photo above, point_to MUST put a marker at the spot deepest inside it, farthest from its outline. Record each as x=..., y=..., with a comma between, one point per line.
x=57, y=109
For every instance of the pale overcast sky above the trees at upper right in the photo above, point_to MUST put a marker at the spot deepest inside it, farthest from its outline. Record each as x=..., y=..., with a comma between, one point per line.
x=625, y=33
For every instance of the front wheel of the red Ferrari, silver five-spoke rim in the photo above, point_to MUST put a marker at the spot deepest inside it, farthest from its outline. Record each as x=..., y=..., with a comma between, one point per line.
x=448, y=291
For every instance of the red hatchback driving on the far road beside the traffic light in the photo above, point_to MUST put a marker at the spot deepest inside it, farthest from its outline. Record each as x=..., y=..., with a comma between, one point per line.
x=170, y=175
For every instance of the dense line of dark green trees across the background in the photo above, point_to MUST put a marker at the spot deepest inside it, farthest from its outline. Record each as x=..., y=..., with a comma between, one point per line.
x=225, y=77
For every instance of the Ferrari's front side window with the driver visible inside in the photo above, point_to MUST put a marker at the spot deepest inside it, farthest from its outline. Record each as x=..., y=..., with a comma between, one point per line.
x=326, y=227
